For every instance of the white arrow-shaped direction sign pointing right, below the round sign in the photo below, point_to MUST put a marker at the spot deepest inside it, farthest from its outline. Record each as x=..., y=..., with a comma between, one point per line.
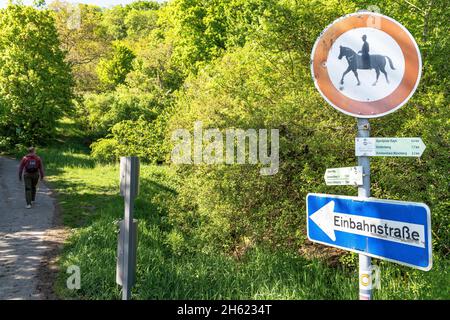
x=389, y=147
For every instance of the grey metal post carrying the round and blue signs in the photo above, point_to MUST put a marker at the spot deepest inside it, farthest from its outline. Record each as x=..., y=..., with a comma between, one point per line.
x=365, y=267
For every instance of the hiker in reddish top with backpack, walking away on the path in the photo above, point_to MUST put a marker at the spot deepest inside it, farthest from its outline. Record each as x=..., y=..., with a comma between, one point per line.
x=31, y=167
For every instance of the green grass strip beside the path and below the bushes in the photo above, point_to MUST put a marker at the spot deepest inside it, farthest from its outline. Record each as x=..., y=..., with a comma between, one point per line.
x=89, y=196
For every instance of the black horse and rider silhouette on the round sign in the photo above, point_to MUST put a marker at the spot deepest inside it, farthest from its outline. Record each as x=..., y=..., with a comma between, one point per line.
x=364, y=61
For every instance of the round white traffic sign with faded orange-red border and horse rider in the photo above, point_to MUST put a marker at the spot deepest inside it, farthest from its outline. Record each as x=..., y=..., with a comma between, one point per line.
x=366, y=65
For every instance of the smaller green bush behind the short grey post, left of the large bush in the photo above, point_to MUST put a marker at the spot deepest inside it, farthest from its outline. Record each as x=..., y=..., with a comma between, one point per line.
x=127, y=121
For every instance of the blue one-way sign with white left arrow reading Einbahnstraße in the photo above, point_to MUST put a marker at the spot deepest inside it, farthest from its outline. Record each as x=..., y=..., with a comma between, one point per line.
x=386, y=229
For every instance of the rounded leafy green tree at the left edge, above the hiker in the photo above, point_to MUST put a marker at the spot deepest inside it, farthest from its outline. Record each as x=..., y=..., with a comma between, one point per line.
x=35, y=81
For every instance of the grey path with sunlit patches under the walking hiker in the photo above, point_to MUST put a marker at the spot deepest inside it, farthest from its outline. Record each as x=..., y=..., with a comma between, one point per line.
x=25, y=245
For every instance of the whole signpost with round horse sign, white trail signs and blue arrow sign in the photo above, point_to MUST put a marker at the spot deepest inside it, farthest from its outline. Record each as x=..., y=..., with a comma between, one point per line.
x=346, y=63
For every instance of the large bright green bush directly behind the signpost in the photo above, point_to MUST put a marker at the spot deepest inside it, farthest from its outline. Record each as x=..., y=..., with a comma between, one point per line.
x=267, y=84
